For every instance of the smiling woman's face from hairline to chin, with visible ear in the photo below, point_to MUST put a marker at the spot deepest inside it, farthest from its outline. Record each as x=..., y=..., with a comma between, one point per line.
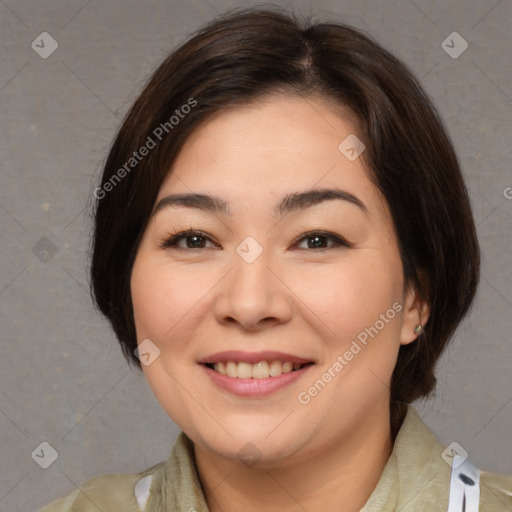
x=270, y=281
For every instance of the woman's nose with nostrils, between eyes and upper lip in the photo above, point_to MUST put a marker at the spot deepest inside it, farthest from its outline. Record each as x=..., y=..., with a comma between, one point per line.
x=253, y=295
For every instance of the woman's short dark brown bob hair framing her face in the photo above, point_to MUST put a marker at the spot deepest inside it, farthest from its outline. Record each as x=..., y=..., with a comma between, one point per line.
x=246, y=55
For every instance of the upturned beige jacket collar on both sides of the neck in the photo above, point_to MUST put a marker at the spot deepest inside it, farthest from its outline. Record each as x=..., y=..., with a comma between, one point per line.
x=415, y=478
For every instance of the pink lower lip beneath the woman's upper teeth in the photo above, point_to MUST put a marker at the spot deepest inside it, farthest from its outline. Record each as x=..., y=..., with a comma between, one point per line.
x=254, y=387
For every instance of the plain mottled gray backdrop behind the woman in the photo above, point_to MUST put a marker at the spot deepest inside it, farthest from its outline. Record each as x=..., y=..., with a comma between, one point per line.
x=63, y=379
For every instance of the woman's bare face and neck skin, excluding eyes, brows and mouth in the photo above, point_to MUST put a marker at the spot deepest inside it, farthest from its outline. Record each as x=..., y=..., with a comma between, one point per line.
x=294, y=298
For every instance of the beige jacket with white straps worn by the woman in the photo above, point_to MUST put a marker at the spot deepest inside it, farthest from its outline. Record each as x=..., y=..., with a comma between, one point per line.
x=420, y=476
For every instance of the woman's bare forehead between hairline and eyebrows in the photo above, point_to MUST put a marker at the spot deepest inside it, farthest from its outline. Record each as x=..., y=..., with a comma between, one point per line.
x=267, y=149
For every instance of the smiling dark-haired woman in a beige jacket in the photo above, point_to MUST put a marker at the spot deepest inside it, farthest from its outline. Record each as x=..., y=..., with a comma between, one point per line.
x=284, y=244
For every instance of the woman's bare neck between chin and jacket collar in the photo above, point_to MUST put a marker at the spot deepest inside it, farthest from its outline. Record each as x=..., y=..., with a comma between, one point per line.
x=341, y=477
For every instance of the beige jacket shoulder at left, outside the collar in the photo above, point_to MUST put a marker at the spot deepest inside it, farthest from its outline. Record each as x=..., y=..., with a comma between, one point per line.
x=108, y=493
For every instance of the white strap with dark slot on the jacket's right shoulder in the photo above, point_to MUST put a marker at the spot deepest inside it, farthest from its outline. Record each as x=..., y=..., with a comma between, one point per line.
x=464, y=486
